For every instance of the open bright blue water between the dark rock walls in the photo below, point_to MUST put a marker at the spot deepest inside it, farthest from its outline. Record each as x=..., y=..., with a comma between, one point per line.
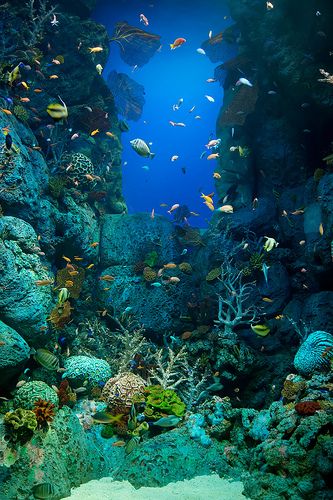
x=168, y=76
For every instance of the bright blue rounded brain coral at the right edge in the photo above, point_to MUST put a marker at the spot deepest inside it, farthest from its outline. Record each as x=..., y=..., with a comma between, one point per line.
x=314, y=353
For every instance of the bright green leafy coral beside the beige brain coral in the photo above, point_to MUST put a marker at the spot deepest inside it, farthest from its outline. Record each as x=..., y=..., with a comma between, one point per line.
x=161, y=402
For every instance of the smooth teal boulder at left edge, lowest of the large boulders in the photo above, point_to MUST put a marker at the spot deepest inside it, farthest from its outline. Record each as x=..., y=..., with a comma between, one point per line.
x=14, y=353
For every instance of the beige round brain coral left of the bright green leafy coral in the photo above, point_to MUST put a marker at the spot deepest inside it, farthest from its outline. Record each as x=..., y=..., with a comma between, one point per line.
x=119, y=391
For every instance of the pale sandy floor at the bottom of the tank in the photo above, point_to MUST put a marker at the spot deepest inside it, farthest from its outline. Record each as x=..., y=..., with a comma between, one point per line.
x=199, y=488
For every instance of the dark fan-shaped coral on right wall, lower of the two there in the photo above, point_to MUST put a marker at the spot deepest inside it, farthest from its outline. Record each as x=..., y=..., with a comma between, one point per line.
x=241, y=105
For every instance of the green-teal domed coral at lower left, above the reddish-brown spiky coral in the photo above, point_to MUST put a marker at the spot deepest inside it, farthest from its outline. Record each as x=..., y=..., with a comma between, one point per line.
x=30, y=392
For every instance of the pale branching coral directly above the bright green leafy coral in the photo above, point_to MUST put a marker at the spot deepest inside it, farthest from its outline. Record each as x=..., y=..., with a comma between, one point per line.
x=170, y=368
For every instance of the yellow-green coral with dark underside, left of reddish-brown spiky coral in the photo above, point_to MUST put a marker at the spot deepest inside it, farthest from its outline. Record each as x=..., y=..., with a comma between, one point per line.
x=21, y=424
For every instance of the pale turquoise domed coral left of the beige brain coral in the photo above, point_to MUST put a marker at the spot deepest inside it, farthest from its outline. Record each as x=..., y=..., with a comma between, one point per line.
x=83, y=369
